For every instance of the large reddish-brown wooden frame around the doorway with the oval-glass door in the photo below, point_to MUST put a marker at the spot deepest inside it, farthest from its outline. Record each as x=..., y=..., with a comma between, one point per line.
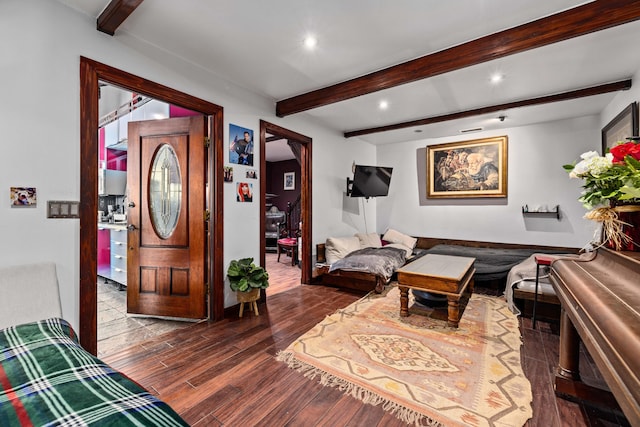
x=91, y=72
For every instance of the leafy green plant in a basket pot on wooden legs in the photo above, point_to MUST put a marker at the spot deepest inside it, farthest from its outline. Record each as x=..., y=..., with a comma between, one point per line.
x=246, y=279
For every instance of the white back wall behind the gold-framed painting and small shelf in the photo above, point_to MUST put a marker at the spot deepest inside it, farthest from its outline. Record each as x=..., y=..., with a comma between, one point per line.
x=535, y=177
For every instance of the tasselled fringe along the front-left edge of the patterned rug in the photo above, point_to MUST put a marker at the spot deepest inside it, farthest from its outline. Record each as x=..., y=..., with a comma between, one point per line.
x=366, y=396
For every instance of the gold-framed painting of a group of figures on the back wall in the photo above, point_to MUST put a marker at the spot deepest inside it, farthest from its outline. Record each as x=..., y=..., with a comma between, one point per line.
x=468, y=169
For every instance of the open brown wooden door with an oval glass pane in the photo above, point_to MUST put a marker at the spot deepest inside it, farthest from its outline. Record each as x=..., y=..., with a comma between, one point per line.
x=166, y=178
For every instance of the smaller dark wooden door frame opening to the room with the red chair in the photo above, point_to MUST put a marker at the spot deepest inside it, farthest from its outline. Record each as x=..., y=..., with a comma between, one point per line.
x=305, y=192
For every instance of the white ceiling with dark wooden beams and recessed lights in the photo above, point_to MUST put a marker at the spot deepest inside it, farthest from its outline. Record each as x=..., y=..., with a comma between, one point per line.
x=430, y=60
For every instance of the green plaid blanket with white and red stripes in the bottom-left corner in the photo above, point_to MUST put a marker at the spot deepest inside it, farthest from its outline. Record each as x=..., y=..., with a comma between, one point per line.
x=47, y=379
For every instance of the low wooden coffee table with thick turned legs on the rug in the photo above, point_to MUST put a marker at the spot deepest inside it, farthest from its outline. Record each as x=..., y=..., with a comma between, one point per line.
x=439, y=274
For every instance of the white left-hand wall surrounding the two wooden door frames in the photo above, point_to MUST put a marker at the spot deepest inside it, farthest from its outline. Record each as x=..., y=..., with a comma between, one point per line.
x=40, y=121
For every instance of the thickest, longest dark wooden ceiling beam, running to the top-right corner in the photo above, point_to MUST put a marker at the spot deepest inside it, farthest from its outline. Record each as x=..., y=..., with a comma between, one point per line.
x=581, y=20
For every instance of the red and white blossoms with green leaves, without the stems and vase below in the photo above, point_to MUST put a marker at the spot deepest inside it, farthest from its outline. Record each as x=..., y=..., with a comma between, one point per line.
x=610, y=179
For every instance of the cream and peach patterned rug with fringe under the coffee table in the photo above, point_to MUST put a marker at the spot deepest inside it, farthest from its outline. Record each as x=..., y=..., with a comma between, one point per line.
x=418, y=368
